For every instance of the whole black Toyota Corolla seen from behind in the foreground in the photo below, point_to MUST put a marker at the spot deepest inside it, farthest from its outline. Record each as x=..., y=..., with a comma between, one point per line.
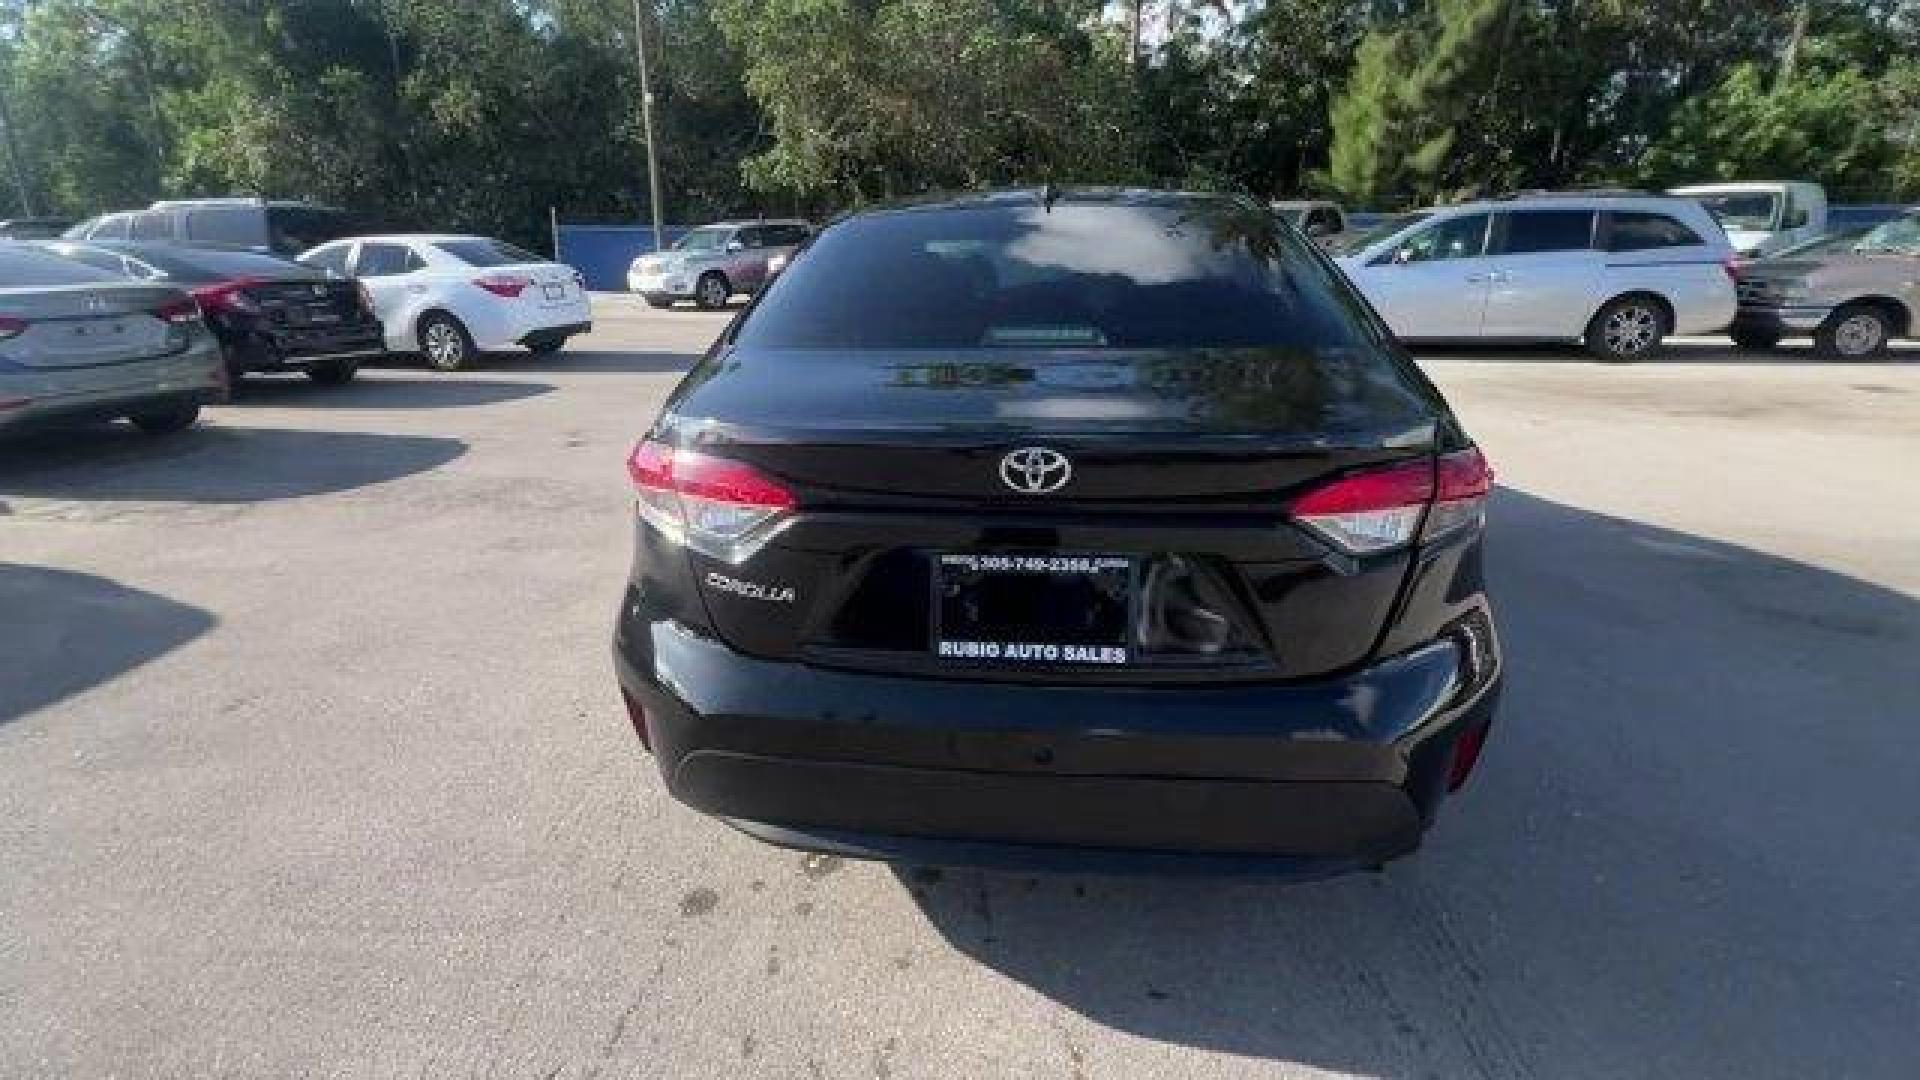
x=1061, y=528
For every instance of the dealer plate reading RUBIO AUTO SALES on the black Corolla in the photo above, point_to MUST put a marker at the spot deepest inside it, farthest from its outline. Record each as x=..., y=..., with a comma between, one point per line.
x=1034, y=610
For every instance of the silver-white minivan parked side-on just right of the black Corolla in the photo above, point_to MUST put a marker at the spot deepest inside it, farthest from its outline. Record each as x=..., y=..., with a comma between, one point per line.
x=1614, y=272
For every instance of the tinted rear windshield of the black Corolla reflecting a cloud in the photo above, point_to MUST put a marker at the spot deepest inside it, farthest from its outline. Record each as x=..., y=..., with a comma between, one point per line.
x=1084, y=276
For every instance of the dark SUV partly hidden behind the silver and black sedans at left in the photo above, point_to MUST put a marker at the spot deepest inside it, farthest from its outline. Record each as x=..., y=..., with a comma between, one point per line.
x=281, y=228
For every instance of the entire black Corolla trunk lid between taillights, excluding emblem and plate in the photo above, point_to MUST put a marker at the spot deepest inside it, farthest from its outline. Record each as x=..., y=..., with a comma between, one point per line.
x=1182, y=464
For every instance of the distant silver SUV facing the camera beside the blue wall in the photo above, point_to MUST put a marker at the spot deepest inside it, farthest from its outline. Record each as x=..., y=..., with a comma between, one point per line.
x=715, y=262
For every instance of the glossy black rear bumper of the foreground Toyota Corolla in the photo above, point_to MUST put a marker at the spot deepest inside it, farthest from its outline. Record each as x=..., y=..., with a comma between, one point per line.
x=1301, y=779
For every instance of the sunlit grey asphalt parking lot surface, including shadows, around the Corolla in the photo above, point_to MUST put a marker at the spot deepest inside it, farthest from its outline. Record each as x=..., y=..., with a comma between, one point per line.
x=312, y=766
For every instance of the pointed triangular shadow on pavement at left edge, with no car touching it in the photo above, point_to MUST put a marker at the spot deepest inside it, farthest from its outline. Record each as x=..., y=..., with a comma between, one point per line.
x=66, y=633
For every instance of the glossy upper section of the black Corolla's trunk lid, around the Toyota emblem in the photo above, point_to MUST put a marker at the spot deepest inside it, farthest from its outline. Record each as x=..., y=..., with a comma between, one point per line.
x=1164, y=430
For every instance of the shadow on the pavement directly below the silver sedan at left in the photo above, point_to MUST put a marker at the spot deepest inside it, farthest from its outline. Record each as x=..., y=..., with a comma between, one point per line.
x=210, y=464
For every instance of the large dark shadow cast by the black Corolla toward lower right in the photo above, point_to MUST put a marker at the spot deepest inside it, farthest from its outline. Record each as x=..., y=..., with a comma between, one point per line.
x=1691, y=852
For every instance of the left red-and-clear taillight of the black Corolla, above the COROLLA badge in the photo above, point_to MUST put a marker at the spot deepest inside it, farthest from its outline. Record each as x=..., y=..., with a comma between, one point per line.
x=709, y=504
